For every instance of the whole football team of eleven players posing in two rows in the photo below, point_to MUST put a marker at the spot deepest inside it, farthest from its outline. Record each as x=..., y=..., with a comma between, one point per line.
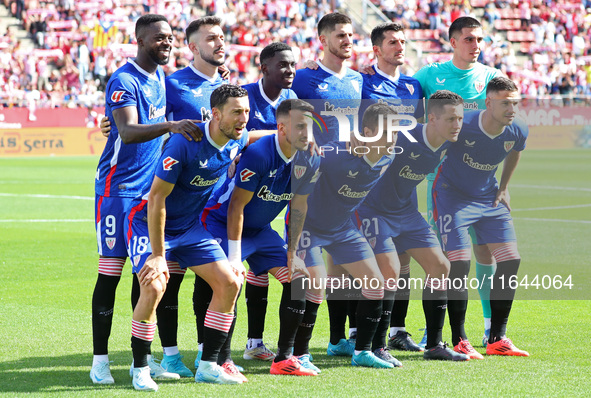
x=195, y=169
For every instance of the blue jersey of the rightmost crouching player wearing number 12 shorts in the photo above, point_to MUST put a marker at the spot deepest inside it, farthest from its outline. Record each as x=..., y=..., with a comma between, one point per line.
x=471, y=162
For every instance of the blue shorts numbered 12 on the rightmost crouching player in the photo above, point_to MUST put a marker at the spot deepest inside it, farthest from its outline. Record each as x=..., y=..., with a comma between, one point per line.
x=454, y=214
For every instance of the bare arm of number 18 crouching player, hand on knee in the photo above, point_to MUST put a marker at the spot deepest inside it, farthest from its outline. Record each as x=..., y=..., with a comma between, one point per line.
x=156, y=263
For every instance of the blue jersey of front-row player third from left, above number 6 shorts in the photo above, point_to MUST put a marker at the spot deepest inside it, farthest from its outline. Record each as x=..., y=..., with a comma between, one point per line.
x=344, y=182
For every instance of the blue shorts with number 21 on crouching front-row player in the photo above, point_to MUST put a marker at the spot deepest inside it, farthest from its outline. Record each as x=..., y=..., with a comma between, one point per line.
x=387, y=233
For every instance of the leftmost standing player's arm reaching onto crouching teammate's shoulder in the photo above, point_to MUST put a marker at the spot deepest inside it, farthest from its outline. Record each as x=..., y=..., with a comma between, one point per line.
x=131, y=132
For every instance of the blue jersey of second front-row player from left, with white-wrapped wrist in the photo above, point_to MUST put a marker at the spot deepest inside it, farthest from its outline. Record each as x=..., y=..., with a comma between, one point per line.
x=274, y=179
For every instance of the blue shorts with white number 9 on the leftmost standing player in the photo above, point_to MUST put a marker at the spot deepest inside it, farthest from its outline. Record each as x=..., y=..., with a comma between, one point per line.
x=109, y=213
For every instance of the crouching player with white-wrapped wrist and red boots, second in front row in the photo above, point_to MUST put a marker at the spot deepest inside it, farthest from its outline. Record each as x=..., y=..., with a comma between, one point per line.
x=273, y=171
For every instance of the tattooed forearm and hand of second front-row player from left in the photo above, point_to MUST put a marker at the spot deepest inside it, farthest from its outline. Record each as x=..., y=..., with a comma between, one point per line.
x=298, y=209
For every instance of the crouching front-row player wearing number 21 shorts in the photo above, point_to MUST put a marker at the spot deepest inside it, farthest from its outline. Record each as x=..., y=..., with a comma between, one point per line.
x=391, y=222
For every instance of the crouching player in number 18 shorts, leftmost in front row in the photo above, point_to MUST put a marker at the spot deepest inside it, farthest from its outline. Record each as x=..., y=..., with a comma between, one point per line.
x=181, y=186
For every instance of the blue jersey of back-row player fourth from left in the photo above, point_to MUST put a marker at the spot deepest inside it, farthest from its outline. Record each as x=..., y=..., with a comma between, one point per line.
x=327, y=91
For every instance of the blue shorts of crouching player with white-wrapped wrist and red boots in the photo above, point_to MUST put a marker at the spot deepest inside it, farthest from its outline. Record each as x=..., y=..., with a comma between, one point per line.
x=263, y=249
